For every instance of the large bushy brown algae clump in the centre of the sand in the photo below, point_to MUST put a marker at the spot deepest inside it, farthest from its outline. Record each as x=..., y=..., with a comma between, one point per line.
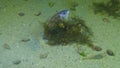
x=66, y=32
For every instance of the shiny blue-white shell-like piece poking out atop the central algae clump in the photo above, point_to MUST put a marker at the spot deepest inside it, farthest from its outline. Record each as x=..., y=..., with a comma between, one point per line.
x=62, y=15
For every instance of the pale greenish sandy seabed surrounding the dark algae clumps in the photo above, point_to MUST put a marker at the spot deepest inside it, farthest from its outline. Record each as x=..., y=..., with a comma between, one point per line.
x=21, y=36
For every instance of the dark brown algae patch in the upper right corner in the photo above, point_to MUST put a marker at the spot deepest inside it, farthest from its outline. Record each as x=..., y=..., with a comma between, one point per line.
x=110, y=8
